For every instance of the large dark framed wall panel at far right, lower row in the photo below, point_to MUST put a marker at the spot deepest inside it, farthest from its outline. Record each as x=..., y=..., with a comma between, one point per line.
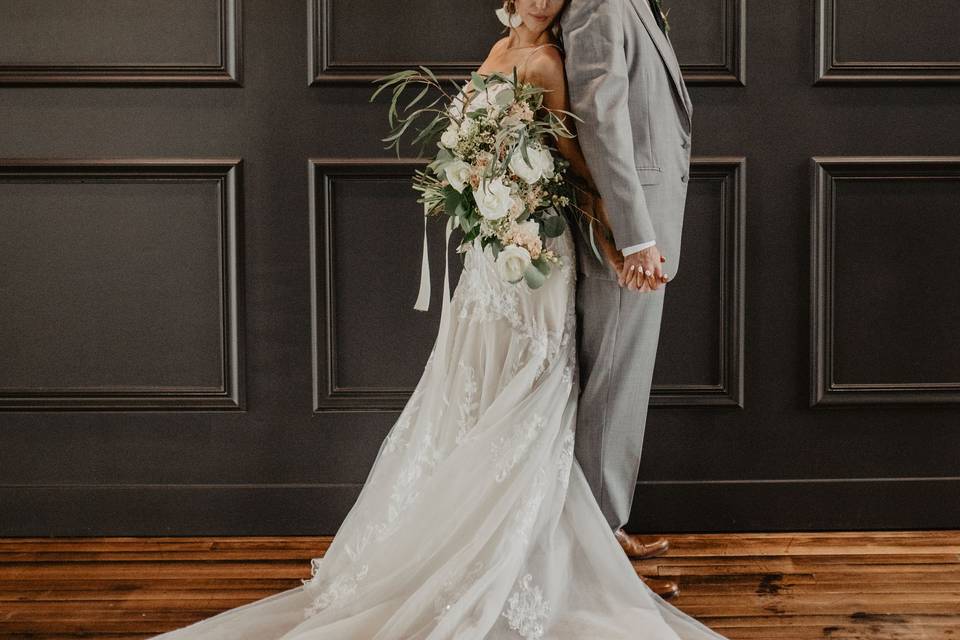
x=885, y=310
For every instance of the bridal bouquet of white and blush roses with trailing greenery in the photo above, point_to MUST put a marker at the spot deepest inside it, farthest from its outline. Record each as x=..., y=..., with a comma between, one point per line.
x=494, y=176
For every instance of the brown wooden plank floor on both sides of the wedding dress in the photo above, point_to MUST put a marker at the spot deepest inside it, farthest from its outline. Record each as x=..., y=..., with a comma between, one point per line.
x=869, y=586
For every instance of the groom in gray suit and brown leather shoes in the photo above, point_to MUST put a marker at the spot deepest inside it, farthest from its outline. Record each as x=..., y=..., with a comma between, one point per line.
x=625, y=83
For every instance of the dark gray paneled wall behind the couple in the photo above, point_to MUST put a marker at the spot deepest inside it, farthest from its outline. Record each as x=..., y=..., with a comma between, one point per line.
x=208, y=264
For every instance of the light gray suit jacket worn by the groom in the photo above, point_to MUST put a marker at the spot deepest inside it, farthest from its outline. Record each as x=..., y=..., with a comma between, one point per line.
x=625, y=83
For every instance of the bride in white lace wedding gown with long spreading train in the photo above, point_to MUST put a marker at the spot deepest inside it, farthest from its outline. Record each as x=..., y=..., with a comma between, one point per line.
x=476, y=521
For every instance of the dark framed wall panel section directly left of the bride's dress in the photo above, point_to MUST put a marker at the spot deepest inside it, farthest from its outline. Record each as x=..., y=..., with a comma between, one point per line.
x=370, y=345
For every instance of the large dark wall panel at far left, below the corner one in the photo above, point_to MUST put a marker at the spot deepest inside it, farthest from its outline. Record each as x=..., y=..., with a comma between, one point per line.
x=119, y=268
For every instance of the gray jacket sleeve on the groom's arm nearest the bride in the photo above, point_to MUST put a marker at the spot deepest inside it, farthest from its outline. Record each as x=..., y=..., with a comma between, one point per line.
x=598, y=85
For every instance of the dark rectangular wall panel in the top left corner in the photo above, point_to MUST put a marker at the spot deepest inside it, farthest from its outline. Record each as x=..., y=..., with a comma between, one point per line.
x=119, y=41
